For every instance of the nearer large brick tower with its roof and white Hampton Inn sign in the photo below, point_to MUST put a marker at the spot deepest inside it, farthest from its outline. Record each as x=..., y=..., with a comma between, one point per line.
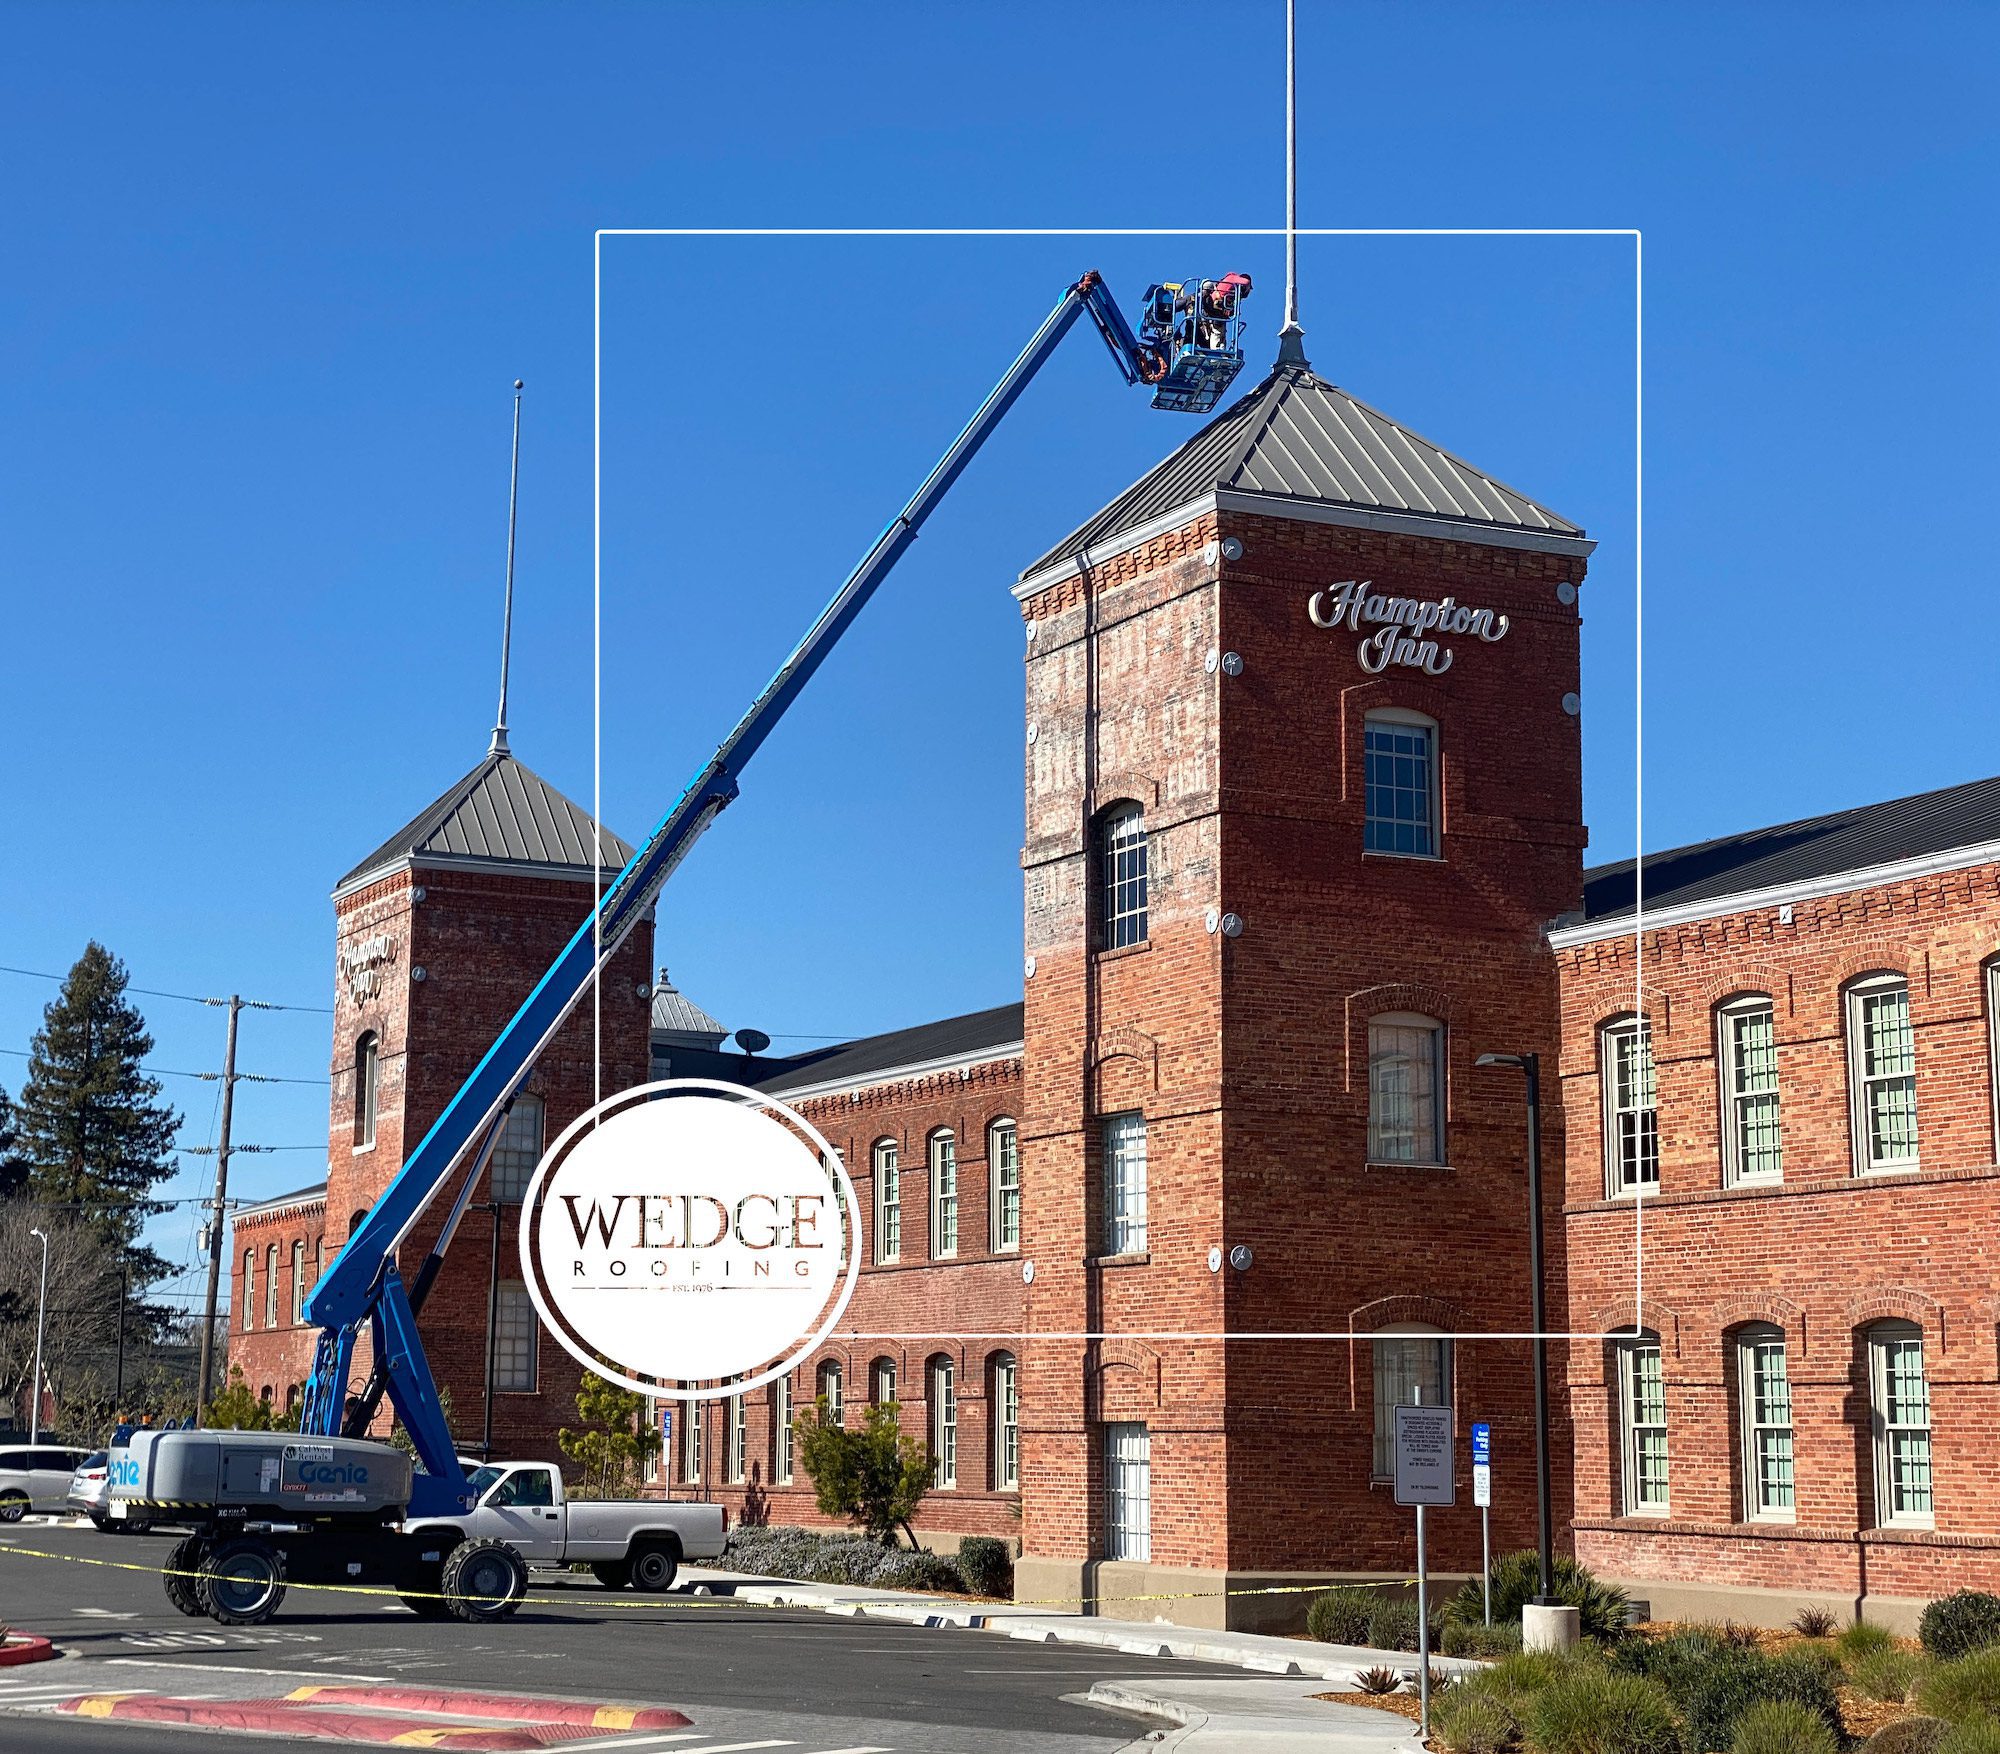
x=1303, y=793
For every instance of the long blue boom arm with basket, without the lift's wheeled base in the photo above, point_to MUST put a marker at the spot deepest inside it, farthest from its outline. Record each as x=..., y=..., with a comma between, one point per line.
x=363, y=1283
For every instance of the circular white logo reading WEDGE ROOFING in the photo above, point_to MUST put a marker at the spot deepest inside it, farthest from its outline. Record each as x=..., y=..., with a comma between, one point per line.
x=689, y=1233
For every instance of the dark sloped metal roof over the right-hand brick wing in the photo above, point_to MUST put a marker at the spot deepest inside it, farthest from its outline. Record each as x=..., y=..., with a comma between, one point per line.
x=1801, y=853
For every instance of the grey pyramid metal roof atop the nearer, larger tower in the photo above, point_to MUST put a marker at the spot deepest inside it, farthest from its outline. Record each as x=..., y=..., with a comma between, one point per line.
x=1299, y=439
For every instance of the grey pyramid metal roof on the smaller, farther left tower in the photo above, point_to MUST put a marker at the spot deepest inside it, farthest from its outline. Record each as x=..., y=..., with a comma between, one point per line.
x=501, y=813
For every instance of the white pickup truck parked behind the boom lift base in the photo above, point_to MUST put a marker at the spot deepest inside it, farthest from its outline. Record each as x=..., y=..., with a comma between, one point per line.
x=625, y=1541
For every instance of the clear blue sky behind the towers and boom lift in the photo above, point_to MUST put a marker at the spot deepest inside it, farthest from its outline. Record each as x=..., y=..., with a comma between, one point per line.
x=273, y=271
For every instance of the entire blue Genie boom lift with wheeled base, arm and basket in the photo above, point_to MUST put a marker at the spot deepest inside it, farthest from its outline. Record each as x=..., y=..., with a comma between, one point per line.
x=335, y=1507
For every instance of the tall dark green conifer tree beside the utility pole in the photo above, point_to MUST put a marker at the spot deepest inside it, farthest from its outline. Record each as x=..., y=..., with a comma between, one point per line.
x=93, y=1133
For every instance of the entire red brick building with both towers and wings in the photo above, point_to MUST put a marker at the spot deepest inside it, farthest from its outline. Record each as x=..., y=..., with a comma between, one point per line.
x=1305, y=837
